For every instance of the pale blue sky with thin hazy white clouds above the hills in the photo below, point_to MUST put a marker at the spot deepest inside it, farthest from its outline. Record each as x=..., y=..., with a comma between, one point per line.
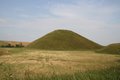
x=27, y=20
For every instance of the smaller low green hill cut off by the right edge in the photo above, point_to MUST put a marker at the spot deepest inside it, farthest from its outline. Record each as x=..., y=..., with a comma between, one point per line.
x=112, y=48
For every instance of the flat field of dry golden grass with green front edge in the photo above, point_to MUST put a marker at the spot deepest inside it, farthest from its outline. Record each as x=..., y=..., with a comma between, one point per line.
x=24, y=64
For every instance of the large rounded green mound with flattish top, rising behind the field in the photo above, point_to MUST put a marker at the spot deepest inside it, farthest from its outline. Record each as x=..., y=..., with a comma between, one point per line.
x=63, y=40
